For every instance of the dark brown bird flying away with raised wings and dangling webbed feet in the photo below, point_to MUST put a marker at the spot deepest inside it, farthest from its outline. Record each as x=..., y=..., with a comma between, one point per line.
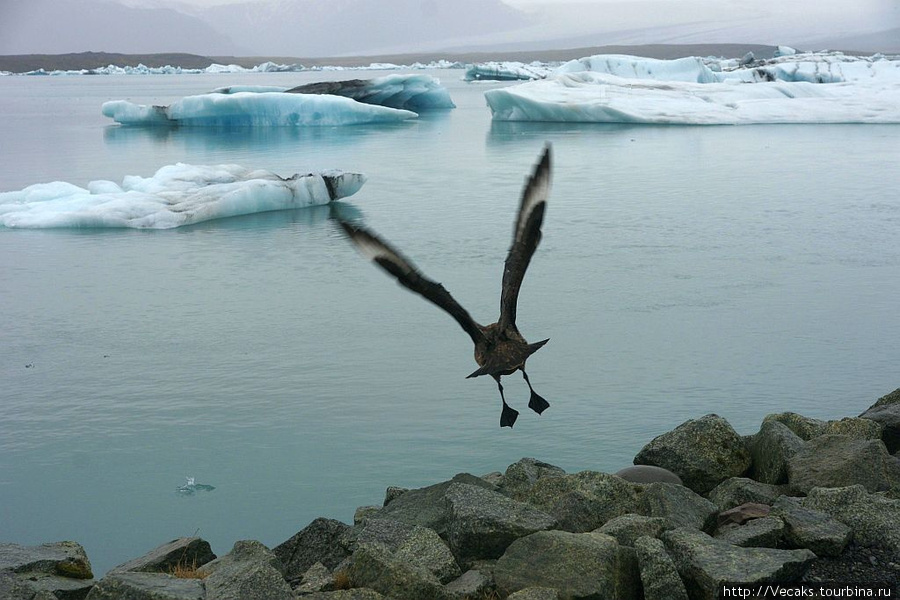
x=499, y=347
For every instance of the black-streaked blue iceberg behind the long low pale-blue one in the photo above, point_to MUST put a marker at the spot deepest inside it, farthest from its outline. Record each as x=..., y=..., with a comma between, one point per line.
x=409, y=92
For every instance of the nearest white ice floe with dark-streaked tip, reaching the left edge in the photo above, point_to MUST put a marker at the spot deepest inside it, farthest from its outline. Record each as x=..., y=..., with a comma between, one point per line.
x=176, y=195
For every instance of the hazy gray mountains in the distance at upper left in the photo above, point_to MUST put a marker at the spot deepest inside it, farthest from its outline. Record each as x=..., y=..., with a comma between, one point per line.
x=262, y=27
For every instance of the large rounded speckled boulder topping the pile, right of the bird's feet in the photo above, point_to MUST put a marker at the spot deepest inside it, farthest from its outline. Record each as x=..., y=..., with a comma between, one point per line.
x=702, y=452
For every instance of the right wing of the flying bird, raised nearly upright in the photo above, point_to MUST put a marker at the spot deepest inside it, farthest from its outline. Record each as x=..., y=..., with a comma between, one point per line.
x=526, y=236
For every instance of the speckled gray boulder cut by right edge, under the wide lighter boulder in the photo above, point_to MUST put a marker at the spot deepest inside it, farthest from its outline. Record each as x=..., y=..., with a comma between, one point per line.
x=872, y=517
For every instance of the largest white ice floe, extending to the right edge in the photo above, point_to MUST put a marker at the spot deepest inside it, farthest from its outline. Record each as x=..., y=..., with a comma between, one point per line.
x=800, y=88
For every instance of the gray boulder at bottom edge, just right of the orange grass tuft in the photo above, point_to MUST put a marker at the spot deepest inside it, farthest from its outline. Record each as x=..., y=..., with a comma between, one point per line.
x=249, y=572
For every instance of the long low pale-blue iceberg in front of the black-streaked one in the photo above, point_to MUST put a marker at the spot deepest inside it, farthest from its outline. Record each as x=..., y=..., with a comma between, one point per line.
x=255, y=109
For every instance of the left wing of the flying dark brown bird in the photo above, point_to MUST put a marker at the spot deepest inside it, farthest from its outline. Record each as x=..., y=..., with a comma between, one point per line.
x=409, y=277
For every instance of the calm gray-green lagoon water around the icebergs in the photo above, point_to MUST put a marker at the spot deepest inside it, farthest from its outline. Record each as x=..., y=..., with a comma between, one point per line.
x=683, y=270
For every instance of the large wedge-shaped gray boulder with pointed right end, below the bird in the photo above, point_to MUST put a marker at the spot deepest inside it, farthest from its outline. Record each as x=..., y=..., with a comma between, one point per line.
x=482, y=523
